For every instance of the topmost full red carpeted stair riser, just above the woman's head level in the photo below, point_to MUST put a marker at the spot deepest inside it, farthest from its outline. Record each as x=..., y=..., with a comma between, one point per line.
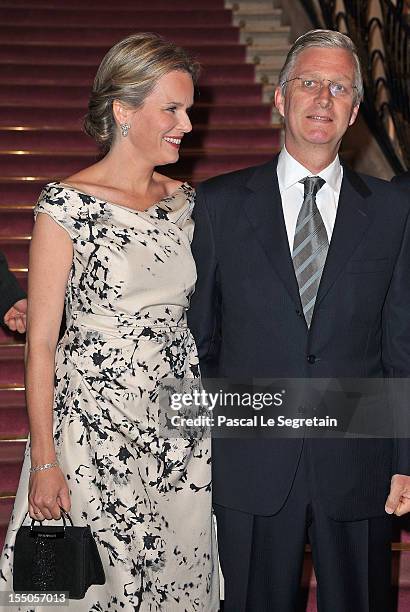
x=138, y=20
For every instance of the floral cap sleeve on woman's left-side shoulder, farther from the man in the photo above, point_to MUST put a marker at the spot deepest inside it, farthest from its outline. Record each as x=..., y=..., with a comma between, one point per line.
x=63, y=206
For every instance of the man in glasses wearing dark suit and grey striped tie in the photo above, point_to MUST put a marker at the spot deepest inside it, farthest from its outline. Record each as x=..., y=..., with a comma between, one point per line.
x=303, y=271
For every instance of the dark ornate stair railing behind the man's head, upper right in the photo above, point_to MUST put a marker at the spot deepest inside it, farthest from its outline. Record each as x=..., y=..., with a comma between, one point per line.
x=380, y=30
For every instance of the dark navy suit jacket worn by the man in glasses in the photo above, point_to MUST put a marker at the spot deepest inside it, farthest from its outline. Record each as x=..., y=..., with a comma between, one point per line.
x=247, y=320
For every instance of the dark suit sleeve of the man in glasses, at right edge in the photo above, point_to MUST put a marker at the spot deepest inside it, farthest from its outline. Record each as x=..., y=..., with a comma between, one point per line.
x=396, y=346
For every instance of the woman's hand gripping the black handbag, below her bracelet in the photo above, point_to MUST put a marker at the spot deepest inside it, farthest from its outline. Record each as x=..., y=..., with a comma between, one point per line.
x=48, y=492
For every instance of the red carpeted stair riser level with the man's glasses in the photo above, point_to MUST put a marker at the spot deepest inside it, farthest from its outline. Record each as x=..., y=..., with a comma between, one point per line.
x=76, y=96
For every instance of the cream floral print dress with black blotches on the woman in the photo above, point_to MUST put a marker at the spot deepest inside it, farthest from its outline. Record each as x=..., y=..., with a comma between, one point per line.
x=146, y=498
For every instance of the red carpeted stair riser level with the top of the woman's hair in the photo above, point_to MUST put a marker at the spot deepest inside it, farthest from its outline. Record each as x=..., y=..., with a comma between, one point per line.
x=41, y=54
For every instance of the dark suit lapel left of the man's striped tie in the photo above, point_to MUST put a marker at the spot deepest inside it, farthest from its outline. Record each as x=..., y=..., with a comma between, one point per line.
x=263, y=207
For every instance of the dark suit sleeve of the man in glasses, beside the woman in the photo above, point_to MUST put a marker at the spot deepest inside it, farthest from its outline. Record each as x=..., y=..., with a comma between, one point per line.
x=204, y=315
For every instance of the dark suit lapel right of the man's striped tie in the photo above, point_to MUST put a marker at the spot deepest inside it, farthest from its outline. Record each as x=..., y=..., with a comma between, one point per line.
x=352, y=220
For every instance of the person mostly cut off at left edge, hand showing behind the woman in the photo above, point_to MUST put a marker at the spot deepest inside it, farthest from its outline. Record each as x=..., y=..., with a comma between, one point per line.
x=13, y=303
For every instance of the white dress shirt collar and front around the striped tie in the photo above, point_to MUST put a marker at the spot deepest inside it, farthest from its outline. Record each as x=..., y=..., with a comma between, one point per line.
x=290, y=172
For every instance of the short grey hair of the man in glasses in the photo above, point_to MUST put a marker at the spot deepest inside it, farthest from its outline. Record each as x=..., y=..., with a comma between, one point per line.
x=329, y=39
